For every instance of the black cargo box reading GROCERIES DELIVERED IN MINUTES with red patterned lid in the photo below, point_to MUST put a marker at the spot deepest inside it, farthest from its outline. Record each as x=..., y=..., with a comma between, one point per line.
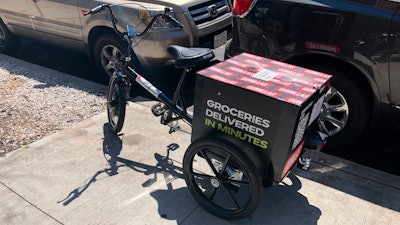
x=262, y=106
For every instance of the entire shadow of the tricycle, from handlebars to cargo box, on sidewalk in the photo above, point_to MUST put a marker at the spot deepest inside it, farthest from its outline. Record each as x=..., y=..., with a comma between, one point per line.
x=281, y=204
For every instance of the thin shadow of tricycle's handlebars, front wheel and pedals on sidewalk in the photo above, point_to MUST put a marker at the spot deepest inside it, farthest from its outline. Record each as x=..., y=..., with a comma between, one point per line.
x=112, y=147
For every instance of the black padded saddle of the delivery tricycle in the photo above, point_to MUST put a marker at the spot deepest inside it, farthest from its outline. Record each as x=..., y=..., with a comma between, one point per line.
x=190, y=57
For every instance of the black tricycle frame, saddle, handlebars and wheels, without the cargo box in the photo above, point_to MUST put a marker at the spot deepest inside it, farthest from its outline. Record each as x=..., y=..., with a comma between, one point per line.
x=221, y=177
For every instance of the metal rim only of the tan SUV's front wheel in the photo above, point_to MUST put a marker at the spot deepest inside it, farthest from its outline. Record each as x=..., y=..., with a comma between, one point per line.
x=110, y=56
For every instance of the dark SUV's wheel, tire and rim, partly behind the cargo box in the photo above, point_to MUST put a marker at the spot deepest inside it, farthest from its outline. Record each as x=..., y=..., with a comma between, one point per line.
x=346, y=102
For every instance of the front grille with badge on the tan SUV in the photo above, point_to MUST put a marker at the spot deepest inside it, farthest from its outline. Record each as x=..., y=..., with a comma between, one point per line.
x=209, y=11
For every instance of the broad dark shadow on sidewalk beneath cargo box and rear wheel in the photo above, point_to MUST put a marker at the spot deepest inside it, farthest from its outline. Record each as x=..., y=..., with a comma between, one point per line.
x=281, y=204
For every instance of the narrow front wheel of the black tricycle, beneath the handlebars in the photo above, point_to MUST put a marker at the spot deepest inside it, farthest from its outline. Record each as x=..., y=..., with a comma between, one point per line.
x=116, y=105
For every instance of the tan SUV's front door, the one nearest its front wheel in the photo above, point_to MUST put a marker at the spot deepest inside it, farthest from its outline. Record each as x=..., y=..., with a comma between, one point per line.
x=56, y=17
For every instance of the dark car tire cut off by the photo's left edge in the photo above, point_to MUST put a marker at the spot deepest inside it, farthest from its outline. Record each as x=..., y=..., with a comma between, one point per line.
x=9, y=43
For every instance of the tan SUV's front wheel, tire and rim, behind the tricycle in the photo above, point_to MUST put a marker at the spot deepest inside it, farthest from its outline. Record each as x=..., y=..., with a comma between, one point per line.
x=107, y=50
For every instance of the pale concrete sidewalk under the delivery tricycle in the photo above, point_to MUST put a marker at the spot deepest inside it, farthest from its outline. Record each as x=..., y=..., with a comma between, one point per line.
x=86, y=175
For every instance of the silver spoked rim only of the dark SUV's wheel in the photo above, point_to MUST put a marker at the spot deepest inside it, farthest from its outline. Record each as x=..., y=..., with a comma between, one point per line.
x=334, y=112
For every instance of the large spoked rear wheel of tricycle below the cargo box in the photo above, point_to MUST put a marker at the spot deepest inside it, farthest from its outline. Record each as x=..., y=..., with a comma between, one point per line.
x=233, y=189
